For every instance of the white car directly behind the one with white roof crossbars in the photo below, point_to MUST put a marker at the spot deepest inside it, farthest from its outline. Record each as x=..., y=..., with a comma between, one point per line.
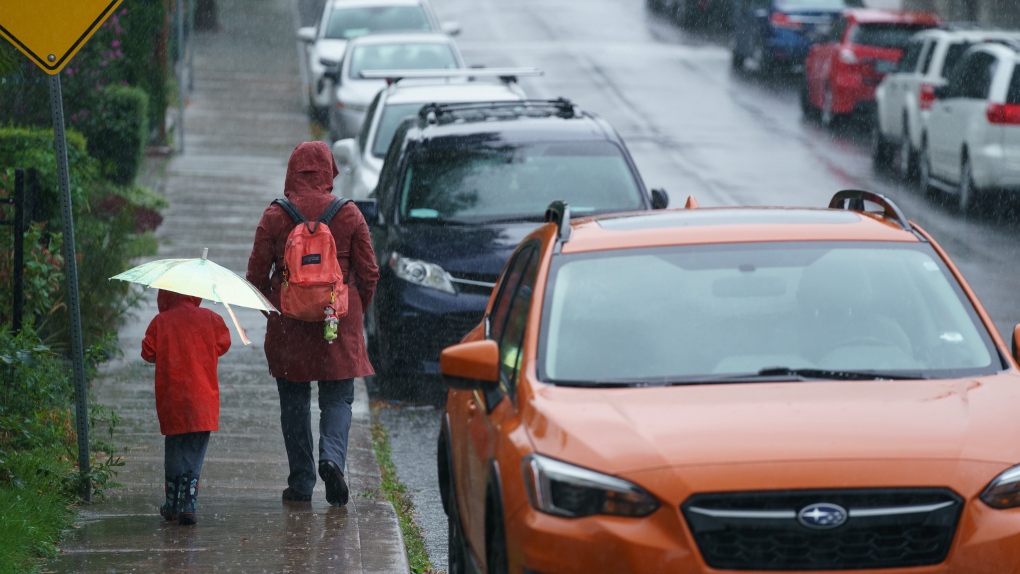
x=352, y=93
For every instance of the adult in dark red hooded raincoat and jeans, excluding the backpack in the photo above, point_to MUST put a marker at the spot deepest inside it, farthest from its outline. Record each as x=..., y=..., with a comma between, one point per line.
x=296, y=350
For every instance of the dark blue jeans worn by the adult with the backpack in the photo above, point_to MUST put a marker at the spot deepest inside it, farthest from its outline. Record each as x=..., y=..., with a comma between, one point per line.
x=336, y=398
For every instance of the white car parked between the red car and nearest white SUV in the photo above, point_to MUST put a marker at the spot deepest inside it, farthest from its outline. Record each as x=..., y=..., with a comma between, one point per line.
x=905, y=97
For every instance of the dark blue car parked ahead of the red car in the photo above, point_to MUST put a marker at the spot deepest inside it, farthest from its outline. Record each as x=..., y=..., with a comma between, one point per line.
x=773, y=36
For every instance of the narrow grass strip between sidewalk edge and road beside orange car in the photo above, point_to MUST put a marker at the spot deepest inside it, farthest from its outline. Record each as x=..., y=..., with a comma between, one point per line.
x=401, y=501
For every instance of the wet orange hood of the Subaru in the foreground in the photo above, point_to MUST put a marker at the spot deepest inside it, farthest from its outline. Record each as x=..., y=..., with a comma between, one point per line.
x=621, y=431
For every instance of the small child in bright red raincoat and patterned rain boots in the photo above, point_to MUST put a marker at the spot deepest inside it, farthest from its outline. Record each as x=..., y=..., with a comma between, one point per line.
x=185, y=342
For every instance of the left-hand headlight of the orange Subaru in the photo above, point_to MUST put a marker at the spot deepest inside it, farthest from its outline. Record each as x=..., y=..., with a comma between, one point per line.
x=565, y=490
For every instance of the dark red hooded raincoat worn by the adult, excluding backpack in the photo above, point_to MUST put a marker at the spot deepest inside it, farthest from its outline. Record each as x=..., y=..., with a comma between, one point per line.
x=296, y=350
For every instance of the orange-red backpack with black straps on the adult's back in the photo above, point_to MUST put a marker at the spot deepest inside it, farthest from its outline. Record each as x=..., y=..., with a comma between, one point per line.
x=313, y=279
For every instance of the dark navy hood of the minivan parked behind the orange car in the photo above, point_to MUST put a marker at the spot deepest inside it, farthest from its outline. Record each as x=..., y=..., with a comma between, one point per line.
x=478, y=252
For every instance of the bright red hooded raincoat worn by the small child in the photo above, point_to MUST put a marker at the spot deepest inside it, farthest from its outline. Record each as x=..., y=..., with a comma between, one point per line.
x=186, y=342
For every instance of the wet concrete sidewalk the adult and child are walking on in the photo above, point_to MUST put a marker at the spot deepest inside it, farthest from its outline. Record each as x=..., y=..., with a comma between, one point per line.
x=244, y=119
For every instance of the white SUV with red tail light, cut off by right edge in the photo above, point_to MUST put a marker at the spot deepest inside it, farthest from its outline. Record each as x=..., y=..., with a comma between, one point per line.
x=973, y=141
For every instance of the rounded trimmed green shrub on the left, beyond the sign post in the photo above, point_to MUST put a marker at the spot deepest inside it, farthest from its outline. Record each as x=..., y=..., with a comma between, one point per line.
x=118, y=132
